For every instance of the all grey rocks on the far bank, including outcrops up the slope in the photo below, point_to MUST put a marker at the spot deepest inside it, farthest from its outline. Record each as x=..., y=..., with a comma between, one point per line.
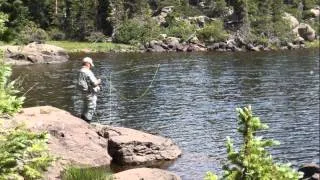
x=301, y=33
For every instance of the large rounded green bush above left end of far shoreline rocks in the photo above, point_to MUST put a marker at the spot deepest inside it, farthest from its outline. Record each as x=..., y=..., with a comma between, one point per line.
x=136, y=30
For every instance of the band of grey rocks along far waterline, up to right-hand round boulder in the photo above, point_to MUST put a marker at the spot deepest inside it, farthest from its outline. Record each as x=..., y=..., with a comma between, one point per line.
x=233, y=44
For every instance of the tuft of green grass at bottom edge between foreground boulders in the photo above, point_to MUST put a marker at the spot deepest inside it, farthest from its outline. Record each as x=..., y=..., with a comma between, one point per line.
x=76, y=173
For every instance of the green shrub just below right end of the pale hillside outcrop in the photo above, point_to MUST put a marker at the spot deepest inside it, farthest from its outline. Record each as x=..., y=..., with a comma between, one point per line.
x=213, y=32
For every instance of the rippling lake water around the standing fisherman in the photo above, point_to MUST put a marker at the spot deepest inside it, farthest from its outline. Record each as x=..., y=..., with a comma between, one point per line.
x=193, y=98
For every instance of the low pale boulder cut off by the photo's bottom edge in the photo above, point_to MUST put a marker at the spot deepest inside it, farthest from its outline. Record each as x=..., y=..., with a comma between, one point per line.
x=145, y=174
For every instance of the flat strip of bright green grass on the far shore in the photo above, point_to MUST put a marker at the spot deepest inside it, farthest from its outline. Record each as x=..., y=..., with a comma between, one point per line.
x=73, y=46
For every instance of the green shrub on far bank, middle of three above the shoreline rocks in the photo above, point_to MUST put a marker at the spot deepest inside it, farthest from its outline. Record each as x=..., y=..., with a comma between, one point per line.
x=181, y=29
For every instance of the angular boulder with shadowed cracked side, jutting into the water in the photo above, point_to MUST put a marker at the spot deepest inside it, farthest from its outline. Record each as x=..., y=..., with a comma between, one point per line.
x=132, y=147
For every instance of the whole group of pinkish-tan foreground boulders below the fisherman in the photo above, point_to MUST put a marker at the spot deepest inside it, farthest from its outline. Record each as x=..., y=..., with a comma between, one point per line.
x=74, y=142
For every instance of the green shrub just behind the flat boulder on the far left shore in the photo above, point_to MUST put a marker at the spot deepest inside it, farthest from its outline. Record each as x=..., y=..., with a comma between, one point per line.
x=32, y=33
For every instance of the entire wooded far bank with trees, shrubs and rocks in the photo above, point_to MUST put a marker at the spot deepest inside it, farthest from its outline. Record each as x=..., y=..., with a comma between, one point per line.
x=196, y=24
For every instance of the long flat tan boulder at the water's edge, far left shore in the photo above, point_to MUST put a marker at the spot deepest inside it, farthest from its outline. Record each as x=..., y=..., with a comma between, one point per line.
x=35, y=53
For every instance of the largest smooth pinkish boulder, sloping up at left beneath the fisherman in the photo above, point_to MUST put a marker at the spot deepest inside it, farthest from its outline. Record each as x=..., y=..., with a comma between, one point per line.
x=72, y=140
